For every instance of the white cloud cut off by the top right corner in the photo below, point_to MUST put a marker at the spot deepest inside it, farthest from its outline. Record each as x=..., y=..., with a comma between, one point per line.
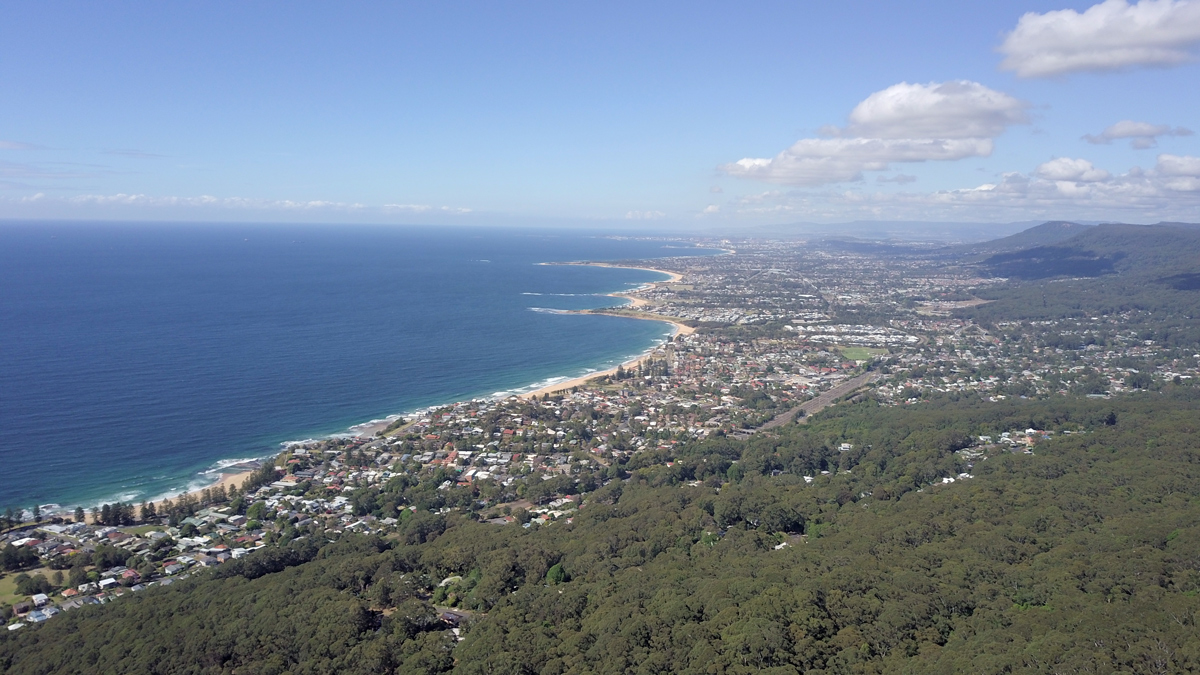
x=1113, y=35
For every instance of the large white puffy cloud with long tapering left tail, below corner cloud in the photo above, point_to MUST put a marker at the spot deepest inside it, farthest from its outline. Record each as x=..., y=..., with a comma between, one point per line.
x=905, y=123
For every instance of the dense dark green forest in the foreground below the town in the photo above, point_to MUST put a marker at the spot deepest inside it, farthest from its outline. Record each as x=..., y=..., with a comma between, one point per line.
x=1081, y=558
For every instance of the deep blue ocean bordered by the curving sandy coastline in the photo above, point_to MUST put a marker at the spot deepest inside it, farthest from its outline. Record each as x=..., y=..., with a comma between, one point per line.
x=136, y=357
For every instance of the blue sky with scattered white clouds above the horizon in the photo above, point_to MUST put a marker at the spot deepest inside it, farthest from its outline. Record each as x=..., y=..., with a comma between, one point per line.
x=689, y=114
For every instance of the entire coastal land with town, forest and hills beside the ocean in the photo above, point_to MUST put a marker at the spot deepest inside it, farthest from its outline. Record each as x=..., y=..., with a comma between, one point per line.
x=993, y=487
